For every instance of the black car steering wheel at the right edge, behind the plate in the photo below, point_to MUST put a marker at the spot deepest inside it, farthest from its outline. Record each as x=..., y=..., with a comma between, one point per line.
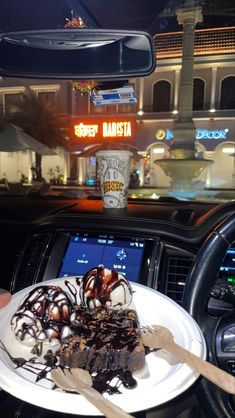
x=214, y=401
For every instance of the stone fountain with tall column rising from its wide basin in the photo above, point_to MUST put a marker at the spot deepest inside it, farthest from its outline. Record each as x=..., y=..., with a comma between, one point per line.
x=183, y=166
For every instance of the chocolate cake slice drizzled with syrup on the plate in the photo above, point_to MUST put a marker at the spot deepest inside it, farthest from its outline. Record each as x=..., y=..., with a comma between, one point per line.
x=104, y=339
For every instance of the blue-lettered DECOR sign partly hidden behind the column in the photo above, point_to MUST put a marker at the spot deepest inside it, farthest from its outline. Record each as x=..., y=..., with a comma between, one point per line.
x=201, y=134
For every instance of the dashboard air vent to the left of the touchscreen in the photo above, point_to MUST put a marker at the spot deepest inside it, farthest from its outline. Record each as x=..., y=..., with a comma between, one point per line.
x=29, y=262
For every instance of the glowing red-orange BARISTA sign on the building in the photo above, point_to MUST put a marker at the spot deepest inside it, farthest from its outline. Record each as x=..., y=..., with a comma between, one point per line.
x=103, y=130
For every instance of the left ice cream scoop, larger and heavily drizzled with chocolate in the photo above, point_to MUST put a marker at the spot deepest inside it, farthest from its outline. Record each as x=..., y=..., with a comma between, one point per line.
x=44, y=316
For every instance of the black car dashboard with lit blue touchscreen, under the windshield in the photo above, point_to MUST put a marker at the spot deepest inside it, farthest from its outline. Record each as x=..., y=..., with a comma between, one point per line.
x=152, y=244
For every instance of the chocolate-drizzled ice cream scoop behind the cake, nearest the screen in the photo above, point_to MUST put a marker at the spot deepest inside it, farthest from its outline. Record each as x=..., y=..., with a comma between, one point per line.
x=103, y=287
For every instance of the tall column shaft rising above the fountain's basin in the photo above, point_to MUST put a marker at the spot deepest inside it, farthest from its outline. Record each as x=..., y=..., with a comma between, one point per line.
x=184, y=132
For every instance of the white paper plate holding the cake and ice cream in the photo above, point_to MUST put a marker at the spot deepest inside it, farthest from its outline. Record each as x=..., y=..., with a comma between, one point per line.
x=163, y=380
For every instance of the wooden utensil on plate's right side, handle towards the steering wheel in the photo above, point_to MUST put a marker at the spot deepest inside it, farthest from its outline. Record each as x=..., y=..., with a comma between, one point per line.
x=157, y=336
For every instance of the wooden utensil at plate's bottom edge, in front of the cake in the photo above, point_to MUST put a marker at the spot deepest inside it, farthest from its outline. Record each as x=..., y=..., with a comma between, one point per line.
x=79, y=380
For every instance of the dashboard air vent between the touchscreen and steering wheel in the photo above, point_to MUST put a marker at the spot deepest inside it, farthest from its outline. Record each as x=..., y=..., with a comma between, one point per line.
x=178, y=268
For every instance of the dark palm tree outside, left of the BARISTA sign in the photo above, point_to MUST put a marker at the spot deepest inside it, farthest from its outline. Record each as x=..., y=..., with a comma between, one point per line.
x=39, y=120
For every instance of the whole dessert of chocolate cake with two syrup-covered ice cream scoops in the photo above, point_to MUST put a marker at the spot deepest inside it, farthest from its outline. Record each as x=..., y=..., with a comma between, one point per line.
x=95, y=324
